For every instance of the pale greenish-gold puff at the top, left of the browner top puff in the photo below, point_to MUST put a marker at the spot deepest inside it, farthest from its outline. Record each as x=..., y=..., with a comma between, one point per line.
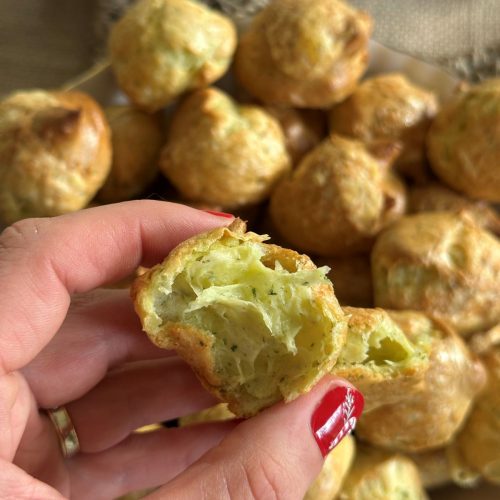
x=162, y=48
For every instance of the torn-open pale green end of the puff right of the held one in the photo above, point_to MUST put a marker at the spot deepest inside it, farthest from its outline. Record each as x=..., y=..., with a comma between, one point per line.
x=380, y=359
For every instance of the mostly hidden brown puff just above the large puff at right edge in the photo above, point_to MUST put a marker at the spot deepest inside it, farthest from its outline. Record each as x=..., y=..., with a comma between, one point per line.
x=436, y=197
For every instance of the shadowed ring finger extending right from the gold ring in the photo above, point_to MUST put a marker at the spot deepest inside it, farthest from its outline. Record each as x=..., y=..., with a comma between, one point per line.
x=134, y=395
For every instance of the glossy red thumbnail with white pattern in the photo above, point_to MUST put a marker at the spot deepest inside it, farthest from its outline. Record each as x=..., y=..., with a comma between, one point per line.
x=336, y=416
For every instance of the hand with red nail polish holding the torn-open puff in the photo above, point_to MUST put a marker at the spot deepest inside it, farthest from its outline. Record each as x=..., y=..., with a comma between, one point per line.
x=65, y=342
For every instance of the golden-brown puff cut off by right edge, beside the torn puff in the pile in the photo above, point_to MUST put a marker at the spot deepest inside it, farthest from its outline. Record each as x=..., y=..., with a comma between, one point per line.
x=479, y=441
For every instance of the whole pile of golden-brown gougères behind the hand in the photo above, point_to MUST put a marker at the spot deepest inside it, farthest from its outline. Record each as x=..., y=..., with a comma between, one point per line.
x=375, y=178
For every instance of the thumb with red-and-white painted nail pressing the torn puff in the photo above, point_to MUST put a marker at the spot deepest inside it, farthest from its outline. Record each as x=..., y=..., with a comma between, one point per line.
x=276, y=454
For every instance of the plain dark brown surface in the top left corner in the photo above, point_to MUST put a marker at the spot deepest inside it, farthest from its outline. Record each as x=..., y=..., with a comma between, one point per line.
x=44, y=42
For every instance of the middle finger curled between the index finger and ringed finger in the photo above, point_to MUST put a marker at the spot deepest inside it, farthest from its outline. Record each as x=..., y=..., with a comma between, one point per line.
x=100, y=331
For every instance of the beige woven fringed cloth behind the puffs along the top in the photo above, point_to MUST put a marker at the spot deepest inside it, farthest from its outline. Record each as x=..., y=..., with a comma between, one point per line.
x=462, y=36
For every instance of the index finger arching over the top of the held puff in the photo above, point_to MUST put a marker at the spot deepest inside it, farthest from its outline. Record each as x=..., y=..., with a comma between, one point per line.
x=44, y=261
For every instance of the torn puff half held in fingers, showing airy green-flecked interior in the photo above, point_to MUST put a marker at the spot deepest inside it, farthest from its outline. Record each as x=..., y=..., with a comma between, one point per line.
x=257, y=322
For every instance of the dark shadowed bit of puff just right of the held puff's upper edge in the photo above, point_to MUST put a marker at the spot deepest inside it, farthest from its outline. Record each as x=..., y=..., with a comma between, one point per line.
x=351, y=278
